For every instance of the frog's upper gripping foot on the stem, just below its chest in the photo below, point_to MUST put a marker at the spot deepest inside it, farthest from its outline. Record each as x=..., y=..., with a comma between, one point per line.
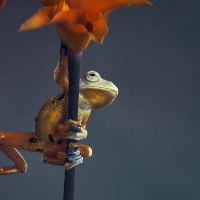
x=72, y=130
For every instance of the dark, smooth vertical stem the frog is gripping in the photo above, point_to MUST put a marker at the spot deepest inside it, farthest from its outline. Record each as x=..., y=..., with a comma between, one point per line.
x=74, y=65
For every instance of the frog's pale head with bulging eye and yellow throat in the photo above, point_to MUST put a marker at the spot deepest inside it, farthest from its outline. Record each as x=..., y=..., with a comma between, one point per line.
x=97, y=92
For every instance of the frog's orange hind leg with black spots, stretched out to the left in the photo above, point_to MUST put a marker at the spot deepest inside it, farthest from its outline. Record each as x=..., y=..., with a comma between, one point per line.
x=24, y=141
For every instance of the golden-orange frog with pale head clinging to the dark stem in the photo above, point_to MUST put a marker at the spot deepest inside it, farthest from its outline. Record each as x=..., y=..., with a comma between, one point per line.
x=51, y=131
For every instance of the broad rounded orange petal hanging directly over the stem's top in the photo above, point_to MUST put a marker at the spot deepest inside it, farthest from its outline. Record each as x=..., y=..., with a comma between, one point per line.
x=75, y=36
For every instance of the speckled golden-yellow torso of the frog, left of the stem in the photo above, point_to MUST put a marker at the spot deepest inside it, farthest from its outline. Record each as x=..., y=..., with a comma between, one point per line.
x=50, y=116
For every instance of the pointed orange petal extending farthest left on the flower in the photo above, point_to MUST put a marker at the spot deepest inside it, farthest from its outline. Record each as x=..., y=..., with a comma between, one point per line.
x=40, y=19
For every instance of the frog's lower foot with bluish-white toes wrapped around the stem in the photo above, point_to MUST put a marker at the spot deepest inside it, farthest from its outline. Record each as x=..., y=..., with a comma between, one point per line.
x=73, y=156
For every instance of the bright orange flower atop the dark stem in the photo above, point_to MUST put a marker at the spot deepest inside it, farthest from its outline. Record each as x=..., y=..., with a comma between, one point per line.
x=77, y=21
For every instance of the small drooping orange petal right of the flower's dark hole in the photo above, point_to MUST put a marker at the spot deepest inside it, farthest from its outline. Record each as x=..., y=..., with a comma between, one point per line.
x=100, y=30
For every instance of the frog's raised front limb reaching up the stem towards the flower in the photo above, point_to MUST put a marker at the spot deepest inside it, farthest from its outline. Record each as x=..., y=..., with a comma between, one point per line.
x=61, y=70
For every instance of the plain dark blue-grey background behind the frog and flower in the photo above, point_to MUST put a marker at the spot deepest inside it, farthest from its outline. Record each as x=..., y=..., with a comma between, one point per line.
x=146, y=145
